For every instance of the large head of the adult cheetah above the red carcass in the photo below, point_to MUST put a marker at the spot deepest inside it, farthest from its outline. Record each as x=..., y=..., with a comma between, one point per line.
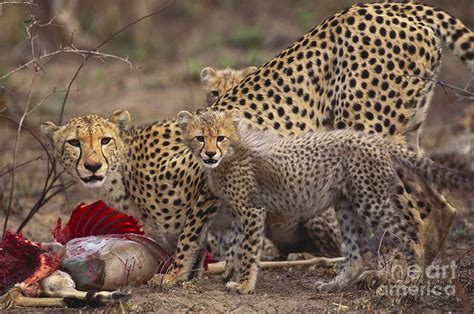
x=88, y=147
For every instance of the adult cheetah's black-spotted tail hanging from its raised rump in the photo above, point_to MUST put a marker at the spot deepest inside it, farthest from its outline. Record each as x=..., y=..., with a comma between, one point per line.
x=447, y=27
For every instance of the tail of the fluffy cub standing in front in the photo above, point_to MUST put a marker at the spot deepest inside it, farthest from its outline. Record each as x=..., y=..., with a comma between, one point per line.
x=436, y=174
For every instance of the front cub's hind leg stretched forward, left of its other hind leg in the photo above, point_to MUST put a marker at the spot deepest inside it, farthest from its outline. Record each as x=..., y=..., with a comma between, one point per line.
x=355, y=239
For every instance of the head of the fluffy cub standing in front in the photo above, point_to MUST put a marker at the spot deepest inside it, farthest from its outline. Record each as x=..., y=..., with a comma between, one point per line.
x=210, y=135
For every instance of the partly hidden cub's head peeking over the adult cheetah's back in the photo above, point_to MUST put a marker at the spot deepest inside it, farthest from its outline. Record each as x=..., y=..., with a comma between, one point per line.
x=217, y=82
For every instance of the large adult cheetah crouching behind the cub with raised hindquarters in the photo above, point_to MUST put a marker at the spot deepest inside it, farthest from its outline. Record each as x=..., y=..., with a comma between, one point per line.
x=359, y=69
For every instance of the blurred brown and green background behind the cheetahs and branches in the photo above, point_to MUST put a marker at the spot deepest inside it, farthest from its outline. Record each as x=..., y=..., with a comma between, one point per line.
x=169, y=49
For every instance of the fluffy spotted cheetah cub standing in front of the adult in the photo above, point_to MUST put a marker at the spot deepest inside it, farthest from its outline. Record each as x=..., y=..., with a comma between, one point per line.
x=257, y=174
